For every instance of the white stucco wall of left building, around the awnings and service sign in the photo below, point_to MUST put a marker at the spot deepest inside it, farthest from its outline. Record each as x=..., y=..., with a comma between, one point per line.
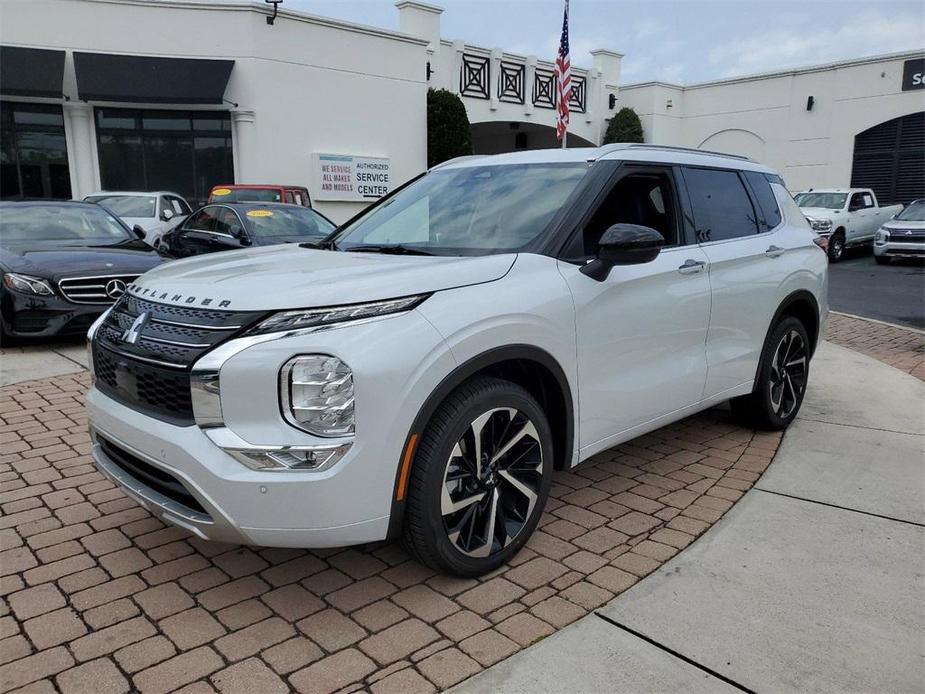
x=304, y=85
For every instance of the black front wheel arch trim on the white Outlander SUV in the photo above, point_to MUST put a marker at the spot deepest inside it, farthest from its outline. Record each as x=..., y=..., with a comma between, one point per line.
x=526, y=365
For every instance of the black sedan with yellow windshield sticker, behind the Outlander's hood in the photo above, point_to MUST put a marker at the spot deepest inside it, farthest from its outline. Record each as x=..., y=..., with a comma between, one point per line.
x=236, y=225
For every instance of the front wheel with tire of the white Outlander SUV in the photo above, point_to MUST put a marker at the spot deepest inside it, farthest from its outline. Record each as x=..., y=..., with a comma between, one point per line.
x=480, y=480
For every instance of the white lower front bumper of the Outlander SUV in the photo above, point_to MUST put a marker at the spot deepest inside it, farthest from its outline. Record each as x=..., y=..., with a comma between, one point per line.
x=235, y=504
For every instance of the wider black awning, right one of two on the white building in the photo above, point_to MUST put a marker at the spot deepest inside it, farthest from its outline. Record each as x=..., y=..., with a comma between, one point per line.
x=143, y=79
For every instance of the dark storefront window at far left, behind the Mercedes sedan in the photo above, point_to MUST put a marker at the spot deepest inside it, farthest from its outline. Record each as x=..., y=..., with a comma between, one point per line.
x=33, y=152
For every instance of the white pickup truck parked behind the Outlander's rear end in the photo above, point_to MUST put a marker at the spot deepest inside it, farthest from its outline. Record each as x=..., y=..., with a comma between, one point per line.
x=847, y=216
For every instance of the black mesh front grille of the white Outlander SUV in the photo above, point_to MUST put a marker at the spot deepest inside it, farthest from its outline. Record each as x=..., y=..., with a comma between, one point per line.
x=152, y=374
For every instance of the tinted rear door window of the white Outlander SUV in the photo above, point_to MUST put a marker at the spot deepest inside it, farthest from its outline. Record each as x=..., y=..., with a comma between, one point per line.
x=721, y=206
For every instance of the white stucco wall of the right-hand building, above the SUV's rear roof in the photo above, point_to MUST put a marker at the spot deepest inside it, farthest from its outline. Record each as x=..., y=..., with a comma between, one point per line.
x=765, y=117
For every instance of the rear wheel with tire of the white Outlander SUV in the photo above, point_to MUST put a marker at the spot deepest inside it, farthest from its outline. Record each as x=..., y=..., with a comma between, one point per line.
x=782, y=377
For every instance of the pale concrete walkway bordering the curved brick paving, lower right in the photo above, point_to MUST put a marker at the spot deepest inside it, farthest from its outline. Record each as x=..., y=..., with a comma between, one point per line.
x=813, y=581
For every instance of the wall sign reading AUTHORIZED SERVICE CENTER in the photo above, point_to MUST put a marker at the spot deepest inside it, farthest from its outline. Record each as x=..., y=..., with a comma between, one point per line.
x=345, y=177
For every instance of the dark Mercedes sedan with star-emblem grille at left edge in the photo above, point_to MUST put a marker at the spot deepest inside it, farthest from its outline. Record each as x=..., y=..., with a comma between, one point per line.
x=63, y=264
